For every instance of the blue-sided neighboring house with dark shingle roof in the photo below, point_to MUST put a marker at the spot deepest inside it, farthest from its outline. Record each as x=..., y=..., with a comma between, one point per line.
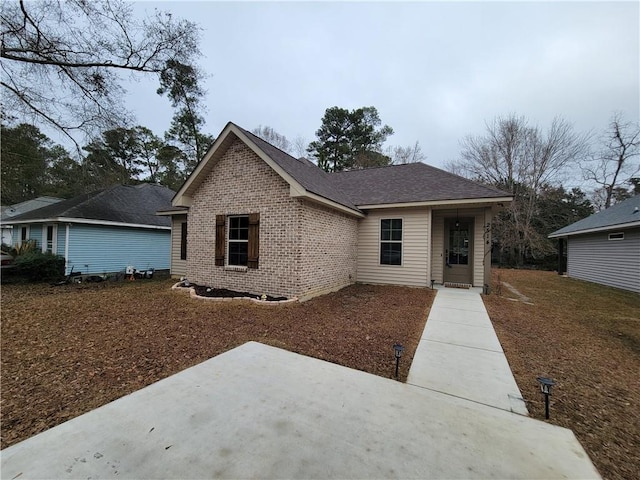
x=105, y=231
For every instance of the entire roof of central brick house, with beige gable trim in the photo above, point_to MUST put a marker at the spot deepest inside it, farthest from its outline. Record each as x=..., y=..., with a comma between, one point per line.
x=348, y=191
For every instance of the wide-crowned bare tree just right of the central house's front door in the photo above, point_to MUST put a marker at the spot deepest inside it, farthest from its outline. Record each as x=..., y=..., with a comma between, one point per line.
x=521, y=159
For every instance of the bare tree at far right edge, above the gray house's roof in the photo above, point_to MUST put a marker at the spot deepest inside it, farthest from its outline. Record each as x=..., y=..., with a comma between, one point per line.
x=615, y=163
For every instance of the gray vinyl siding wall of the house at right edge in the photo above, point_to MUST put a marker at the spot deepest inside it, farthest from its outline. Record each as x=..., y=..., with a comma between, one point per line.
x=595, y=258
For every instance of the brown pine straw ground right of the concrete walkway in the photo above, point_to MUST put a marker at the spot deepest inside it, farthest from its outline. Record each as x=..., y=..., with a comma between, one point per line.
x=587, y=338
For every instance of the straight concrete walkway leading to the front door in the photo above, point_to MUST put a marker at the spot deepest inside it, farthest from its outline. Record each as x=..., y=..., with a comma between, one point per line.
x=459, y=353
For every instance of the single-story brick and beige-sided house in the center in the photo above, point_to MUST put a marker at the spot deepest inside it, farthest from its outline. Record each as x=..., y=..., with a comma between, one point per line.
x=253, y=218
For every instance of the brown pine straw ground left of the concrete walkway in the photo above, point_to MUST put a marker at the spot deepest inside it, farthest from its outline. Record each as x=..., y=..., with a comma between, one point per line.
x=67, y=350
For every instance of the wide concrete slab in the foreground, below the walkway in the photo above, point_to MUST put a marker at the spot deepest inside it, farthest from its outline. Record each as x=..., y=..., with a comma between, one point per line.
x=261, y=412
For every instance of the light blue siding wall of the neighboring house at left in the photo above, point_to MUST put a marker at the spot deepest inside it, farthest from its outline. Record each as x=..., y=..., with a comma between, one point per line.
x=98, y=249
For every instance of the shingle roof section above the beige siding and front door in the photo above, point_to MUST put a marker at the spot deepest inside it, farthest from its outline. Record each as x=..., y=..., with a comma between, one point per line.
x=412, y=182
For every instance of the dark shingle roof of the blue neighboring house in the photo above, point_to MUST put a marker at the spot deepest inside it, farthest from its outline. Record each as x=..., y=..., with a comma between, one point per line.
x=131, y=204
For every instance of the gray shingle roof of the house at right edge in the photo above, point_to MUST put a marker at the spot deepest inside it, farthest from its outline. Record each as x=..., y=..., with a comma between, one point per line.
x=625, y=213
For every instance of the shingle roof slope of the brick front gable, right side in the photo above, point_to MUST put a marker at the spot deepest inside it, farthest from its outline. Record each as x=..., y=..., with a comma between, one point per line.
x=307, y=174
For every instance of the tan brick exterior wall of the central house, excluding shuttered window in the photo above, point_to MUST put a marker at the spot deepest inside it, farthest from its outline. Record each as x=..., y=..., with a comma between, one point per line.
x=304, y=248
